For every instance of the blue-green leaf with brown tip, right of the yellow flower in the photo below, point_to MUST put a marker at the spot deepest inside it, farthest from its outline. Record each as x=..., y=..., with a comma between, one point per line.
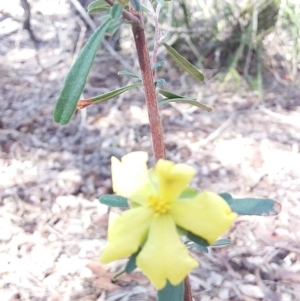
x=252, y=206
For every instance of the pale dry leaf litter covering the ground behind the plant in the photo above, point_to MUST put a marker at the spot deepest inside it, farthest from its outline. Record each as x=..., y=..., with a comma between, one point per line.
x=52, y=226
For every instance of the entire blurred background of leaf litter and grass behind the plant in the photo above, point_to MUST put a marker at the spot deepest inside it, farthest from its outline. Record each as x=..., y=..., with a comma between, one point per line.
x=52, y=227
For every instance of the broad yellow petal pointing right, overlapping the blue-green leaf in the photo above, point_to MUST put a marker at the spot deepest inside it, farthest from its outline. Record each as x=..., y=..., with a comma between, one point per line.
x=206, y=215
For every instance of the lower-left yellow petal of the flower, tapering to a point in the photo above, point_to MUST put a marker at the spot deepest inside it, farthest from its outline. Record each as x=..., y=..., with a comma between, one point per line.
x=127, y=234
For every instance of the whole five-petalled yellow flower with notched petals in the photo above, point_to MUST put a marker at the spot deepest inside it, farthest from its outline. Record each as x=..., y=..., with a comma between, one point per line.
x=156, y=212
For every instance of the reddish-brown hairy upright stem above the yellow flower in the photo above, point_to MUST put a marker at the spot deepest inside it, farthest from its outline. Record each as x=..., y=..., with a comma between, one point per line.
x=149, y=87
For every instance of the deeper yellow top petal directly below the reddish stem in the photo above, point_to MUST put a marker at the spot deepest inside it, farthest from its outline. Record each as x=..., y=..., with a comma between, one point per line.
x=173, y=179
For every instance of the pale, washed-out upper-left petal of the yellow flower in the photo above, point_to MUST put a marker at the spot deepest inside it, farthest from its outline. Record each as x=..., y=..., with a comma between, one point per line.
x=130, y=173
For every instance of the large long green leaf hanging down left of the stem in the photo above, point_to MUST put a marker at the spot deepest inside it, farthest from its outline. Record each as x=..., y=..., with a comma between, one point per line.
x=76, y=78
